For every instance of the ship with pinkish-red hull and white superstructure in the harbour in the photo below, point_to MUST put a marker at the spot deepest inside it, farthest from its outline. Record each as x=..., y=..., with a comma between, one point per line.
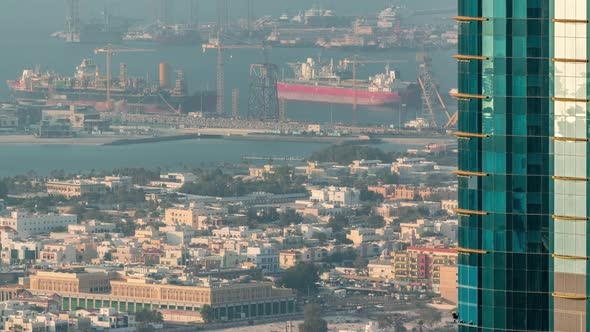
x=332, y=83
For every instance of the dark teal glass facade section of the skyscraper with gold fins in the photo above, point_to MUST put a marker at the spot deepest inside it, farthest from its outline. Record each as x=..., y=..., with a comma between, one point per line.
x=505, y=186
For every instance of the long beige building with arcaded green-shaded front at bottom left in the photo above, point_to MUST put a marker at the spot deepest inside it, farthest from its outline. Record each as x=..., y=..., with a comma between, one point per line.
x=229, y=301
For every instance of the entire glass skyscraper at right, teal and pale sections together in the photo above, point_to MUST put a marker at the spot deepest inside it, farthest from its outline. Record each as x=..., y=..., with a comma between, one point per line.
x=518, y=168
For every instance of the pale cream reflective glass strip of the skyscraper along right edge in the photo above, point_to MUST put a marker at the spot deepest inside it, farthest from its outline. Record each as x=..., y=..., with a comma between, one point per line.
x=568, y=36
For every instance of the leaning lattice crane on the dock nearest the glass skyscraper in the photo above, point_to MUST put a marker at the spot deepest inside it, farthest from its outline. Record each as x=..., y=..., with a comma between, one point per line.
x=429, y=90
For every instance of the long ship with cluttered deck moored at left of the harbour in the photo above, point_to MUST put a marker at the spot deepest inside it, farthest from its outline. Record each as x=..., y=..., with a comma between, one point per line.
x=128, y=94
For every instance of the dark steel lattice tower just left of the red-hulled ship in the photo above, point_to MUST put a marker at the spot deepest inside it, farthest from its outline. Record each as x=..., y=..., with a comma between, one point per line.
x=263, y=99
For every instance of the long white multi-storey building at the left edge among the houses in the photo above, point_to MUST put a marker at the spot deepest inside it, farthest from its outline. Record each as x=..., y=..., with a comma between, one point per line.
x=34, y=224
